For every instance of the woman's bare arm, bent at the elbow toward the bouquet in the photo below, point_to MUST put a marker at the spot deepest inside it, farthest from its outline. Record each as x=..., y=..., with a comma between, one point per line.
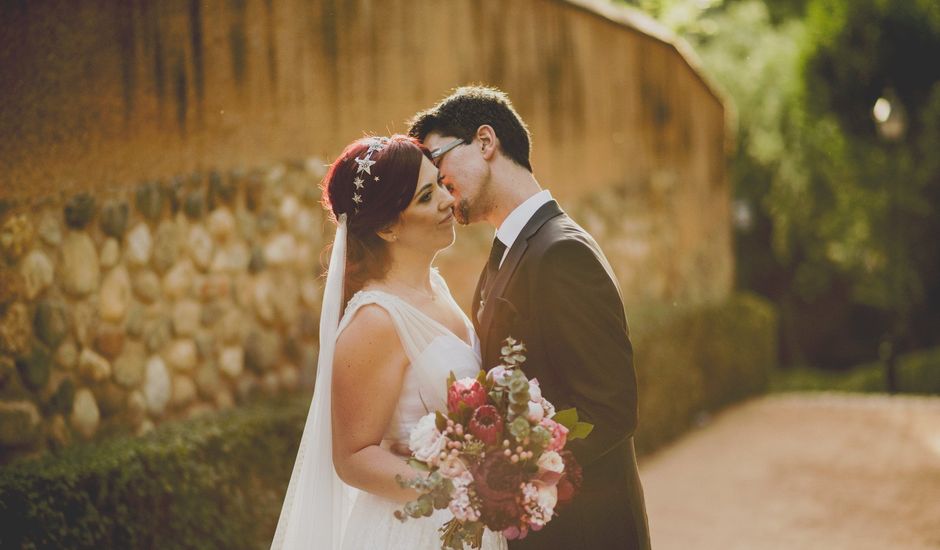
x=368, y=371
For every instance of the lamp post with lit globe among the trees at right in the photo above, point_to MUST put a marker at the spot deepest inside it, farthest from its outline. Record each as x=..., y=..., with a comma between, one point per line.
x=891, y=123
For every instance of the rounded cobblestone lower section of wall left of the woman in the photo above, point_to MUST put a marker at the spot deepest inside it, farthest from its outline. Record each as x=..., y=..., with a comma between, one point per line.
x=158, y=301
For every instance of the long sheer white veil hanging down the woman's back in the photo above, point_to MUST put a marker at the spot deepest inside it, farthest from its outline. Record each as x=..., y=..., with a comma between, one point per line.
x=318, y=503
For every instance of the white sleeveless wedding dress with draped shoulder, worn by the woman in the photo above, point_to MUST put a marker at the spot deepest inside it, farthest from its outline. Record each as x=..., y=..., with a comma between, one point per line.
x=434, y=352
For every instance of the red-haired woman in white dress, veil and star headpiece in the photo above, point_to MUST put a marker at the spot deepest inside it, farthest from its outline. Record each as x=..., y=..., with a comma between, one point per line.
x=390, y=333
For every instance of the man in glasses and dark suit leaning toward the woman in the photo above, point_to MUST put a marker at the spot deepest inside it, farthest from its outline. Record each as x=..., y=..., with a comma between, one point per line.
x=548, y=284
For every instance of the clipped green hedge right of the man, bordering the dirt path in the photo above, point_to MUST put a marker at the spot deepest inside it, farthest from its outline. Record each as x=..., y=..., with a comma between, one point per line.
x=694, y=361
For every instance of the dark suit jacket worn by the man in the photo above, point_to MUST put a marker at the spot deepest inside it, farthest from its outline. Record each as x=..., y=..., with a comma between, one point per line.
x=556, y=292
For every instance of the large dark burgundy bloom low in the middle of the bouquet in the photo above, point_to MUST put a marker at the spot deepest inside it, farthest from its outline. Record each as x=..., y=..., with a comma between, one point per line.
x=497, y=484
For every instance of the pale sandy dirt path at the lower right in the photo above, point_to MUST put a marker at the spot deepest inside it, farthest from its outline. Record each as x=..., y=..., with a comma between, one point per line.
x=802, y=471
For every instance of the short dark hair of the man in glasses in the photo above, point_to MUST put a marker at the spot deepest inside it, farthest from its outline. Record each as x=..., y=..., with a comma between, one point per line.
x=469, y=107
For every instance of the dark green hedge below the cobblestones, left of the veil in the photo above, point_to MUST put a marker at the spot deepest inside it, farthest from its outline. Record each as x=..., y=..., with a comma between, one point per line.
x=211, y=482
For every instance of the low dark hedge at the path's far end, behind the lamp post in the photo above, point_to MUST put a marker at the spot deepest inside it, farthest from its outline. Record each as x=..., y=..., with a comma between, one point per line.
x=917, y=372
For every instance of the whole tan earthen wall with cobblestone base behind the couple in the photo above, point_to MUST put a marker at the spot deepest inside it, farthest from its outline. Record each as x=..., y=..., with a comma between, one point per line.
x=154, y=176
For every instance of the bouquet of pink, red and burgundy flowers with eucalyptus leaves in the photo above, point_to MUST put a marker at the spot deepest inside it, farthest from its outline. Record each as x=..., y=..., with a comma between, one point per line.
x=496, y=458
